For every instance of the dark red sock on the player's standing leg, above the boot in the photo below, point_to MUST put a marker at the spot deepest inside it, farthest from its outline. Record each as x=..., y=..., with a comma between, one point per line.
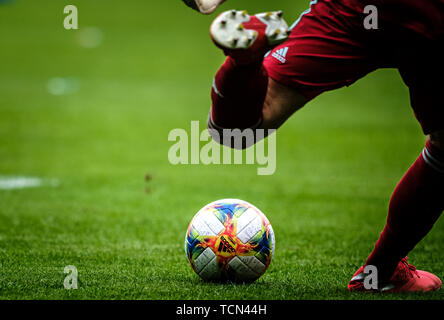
x=416, y=204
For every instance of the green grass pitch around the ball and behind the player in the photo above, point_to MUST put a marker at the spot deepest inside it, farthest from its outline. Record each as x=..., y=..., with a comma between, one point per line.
x=338, y=161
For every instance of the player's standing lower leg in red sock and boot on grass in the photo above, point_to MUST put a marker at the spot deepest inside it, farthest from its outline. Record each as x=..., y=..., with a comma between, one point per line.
x=415, y=206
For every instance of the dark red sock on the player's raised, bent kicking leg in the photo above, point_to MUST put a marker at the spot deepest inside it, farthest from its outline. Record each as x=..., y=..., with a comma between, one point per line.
x=238, y=95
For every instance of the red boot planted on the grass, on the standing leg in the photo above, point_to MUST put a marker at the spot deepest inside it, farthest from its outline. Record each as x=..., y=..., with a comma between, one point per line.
x=405, y=279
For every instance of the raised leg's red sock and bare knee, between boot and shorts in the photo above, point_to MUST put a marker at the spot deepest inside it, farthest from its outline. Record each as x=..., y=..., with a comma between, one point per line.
x=245, y=97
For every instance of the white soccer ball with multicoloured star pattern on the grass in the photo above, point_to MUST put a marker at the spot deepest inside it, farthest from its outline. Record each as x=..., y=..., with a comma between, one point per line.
x=231, y=240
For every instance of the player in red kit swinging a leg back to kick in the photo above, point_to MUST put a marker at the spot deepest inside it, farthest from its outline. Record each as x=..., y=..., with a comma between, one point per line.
x=329, y=47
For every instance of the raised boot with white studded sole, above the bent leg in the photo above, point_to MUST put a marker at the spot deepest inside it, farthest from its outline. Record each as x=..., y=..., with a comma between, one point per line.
x=248, y=38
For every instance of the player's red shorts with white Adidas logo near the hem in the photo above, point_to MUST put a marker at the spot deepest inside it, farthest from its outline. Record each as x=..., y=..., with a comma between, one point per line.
x=330, y=47
